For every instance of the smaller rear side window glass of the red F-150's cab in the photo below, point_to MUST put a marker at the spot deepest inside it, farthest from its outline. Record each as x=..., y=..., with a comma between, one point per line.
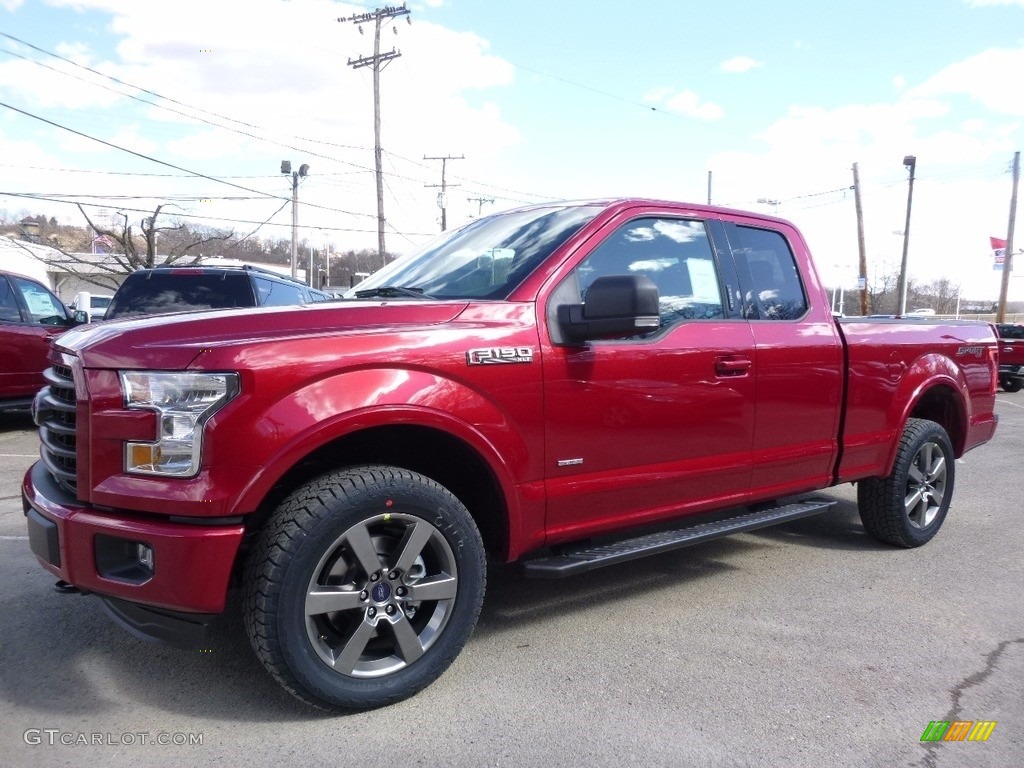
x=778, y=293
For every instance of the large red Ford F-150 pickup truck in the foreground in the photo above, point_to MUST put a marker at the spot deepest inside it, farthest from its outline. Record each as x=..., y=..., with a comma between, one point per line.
x=568, y=386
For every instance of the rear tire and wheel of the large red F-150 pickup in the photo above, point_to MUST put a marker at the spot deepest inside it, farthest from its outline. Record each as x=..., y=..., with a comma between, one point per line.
x=908, y=508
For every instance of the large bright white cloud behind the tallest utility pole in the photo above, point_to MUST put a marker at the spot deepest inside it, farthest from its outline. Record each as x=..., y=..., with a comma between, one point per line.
x=282, y=71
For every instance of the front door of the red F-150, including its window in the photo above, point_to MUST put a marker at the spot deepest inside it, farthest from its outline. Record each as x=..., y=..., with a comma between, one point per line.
x=649, y=429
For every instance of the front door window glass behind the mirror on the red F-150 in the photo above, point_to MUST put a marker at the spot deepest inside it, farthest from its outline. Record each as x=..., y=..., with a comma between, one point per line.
x=676, y=254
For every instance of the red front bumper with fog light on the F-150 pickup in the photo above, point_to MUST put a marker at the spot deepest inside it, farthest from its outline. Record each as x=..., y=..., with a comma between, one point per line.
x=187, y=570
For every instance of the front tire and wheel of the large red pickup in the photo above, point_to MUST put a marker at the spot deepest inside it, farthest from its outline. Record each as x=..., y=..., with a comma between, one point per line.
x=364, y=587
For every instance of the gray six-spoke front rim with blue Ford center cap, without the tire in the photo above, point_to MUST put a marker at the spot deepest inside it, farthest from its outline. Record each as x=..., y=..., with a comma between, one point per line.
x=381, y=595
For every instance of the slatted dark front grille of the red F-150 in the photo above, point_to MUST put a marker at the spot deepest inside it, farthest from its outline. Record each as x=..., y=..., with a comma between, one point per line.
x=56, y=418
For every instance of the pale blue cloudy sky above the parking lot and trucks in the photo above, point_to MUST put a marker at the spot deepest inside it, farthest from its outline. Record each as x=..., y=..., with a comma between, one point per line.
x=122, y=106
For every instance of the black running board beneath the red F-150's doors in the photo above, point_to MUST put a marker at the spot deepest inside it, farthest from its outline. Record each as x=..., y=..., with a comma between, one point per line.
x=581, y=559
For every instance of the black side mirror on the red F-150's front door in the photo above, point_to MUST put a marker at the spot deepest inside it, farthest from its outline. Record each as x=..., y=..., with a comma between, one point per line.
x=616, y=306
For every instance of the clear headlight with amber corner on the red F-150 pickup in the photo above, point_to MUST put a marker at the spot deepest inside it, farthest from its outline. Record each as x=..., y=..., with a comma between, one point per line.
x=184, y=402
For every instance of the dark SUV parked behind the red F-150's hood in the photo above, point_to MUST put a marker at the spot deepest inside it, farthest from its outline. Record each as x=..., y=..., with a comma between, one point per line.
x=189, y=289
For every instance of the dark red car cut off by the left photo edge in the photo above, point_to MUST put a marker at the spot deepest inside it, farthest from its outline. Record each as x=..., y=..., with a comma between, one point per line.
x=31, y=316
